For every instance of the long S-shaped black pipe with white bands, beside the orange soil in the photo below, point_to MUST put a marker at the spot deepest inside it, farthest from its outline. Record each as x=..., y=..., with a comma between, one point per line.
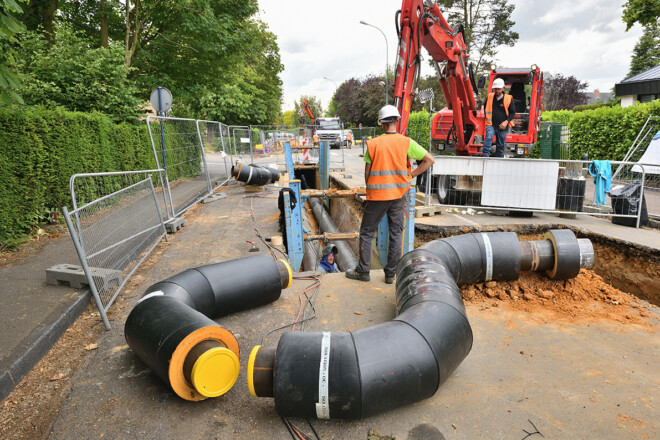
x=350, y=375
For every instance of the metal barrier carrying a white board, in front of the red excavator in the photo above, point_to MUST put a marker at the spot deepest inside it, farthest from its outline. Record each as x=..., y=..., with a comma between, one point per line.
x=473, y=184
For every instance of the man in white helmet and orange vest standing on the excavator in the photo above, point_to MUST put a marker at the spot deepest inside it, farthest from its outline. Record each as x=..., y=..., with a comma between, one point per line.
x=500, y=111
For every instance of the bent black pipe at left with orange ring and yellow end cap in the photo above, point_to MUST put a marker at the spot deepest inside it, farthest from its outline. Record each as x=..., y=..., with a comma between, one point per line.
x=172, y=331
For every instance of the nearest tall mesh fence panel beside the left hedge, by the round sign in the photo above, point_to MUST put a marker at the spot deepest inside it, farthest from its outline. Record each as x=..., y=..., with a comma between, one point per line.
x=177, y=145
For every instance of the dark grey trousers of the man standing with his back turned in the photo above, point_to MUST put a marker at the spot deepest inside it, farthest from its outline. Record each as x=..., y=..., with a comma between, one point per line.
x=373, y=214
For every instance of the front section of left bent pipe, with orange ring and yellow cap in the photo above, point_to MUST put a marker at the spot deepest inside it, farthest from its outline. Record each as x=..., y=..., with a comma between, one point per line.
x=171, y=337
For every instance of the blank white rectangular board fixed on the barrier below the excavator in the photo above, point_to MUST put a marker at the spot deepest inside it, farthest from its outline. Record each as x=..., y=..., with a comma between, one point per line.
x=514, y=183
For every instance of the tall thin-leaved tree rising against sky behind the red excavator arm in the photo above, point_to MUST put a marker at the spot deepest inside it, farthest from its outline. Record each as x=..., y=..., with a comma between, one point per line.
x=487, y=25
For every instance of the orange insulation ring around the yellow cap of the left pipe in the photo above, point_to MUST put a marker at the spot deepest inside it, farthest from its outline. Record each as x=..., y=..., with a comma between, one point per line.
x=178, y=381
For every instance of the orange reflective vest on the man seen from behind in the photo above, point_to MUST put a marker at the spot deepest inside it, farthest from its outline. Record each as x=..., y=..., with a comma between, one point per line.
x=390, y=168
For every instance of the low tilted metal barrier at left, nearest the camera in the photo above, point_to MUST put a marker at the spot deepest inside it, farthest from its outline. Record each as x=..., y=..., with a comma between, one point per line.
x=114, y=232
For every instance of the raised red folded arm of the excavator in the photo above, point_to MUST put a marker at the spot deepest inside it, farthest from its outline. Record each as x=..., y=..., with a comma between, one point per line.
x=421, y=24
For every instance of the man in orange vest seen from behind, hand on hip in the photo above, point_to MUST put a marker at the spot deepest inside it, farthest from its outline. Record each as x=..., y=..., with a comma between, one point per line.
x=388, y=173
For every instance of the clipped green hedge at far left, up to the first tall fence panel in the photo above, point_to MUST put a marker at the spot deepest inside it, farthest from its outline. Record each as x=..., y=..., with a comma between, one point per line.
x=42, y=148
